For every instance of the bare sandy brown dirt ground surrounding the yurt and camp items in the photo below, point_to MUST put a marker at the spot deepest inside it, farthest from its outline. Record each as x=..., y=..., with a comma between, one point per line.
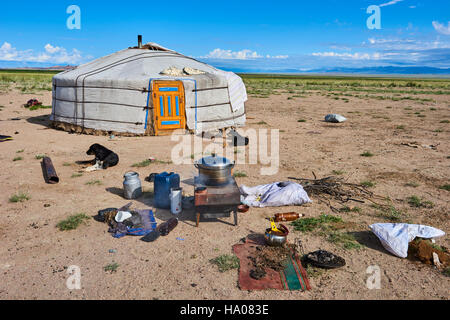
x=34, y=254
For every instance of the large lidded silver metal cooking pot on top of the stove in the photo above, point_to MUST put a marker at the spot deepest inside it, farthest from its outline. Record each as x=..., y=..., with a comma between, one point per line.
x=214, y=170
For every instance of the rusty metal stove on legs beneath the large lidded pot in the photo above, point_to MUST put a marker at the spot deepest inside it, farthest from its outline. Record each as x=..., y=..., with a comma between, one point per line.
x=217, y=201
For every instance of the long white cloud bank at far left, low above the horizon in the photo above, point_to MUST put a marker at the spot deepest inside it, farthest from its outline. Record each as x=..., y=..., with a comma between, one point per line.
x=52, y=54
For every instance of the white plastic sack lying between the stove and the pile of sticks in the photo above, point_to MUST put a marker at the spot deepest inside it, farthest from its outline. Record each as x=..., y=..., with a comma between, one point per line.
x=274, y=195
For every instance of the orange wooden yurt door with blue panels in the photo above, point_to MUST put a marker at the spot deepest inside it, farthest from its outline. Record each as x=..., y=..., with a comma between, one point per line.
x=168, y=103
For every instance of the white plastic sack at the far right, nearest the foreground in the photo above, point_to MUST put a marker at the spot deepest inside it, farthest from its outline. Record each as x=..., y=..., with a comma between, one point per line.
x=395, y=237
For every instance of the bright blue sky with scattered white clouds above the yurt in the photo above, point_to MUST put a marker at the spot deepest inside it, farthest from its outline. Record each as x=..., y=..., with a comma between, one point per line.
x=259, y=35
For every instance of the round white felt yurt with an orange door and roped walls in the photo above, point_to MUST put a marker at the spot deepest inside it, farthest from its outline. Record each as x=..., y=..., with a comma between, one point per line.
x=147, y=90
